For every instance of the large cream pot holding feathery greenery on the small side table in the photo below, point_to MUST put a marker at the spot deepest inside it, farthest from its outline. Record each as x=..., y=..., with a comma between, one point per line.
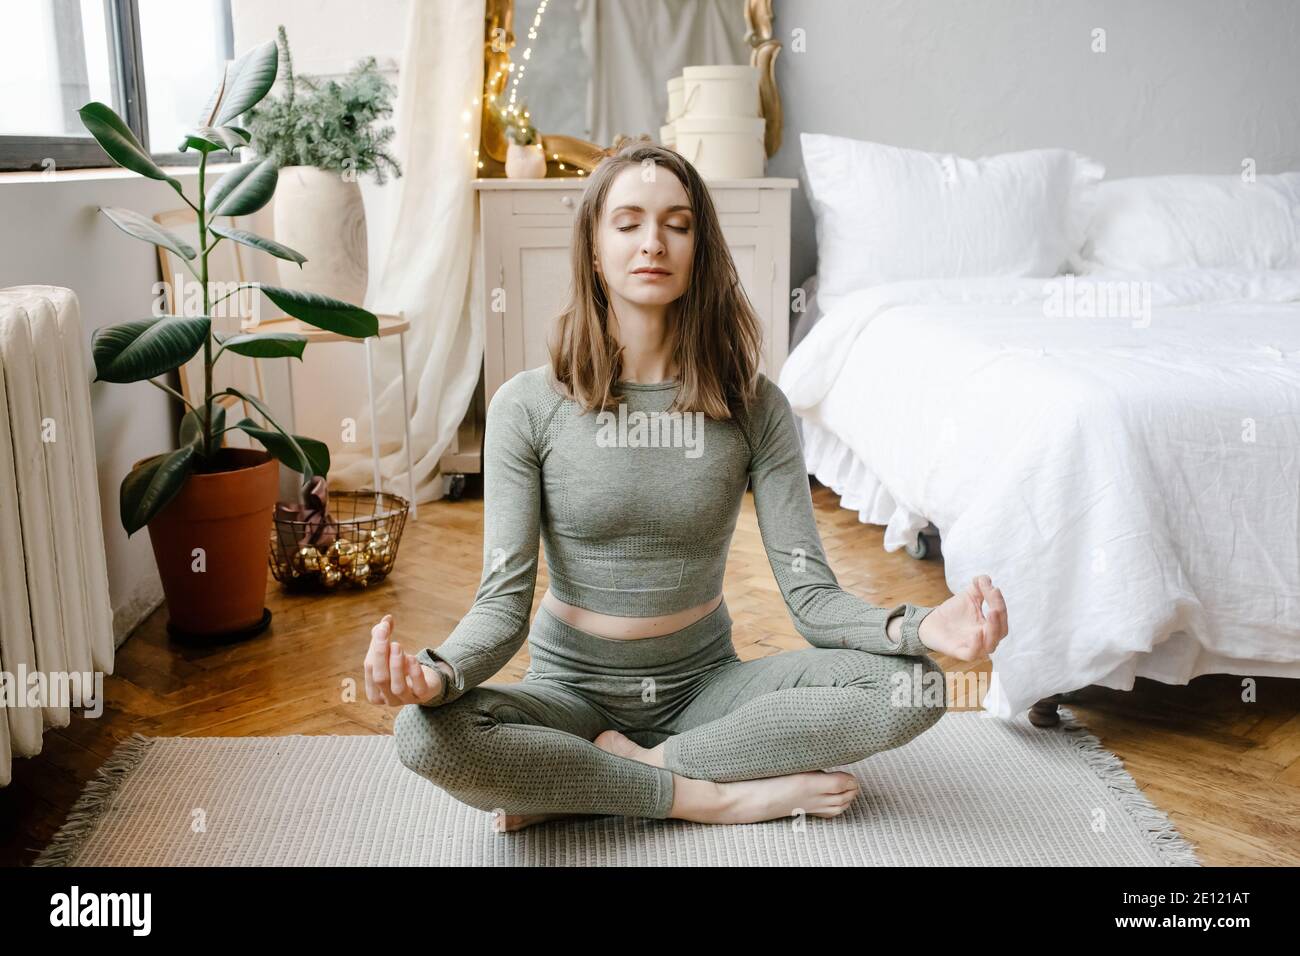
x=320, y=215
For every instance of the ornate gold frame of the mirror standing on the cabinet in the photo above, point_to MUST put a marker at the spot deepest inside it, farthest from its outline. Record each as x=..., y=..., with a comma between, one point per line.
x=573, y=157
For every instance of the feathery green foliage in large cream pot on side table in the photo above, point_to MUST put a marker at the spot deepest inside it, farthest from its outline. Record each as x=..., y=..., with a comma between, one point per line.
x=324, y=136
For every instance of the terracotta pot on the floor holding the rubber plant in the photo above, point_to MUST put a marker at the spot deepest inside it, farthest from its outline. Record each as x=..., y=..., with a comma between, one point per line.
x=219, y=591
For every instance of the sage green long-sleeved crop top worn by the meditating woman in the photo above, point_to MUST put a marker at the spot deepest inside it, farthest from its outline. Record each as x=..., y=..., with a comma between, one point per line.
x=636, y=511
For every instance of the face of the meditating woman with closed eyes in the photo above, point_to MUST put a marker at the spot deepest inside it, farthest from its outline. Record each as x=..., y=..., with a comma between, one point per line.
x=647, y=224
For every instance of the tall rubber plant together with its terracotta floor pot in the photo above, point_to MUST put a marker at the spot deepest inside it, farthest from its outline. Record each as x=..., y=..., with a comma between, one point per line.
x=210, y=508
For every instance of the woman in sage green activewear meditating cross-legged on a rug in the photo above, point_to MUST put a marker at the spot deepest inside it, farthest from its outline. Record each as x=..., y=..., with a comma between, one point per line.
x=630, y=453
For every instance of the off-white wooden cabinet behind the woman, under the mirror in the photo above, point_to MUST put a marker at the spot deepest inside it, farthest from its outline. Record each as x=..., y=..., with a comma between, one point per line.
x=526, y=228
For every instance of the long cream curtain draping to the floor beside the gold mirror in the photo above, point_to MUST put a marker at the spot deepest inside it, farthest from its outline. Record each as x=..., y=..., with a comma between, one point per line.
x=428, y=271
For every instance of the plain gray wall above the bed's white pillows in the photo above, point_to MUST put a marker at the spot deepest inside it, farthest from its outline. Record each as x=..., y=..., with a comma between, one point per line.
x=1185, y=86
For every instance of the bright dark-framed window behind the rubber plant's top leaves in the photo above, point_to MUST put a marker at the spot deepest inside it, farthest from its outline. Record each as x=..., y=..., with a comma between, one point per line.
x=154, y=62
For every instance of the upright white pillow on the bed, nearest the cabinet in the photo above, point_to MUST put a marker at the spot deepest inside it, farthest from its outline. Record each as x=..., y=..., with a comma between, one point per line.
x=886, y=214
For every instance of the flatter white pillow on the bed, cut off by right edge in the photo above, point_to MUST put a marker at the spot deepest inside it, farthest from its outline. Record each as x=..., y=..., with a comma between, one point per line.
x=1149, y=224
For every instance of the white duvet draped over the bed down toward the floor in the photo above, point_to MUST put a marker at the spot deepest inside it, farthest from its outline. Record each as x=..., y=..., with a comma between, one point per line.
x=1132, y=482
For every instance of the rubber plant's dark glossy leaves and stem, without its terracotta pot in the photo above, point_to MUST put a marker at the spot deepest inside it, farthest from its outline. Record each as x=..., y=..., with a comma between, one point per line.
x=149, y=348
